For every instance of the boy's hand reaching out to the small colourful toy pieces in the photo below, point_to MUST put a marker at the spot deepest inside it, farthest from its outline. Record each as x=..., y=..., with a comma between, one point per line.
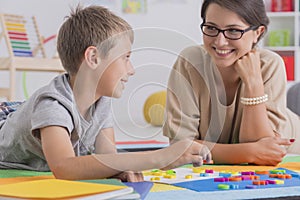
x=188, y=152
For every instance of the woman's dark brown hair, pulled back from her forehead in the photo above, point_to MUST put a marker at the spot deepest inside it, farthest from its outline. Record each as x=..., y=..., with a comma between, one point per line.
x=252, y=12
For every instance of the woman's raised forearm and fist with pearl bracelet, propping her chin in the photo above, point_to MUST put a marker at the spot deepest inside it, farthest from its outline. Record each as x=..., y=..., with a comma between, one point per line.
x=254, y=123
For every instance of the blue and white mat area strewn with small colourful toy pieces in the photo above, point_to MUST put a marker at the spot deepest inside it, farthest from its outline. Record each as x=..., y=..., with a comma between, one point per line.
x=199, y=179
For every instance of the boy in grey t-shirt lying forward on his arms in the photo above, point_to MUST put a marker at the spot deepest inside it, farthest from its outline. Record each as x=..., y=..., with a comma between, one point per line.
x=66, y=126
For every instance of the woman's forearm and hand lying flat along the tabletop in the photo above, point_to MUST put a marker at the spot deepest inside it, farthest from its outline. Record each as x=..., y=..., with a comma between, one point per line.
x=266, y=151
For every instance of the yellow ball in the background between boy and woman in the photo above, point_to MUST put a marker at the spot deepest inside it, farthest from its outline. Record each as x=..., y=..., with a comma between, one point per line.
x=154, y=108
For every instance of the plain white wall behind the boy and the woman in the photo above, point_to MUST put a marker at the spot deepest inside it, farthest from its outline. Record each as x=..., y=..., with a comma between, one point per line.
x=161, y=32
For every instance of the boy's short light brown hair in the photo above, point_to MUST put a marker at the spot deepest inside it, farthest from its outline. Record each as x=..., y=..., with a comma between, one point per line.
x=90, y=26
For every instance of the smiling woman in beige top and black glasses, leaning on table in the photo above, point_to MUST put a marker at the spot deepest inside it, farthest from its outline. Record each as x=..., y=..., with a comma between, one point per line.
x=228, y=93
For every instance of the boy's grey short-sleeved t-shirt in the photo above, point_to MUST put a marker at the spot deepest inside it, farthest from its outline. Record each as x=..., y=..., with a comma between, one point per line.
x=51, y=105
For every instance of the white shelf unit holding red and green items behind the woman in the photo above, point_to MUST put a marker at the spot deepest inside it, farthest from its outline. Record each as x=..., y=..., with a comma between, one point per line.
x=285, y=26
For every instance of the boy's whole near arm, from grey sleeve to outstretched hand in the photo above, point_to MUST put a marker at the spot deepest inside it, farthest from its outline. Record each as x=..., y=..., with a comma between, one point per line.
x=64, y=164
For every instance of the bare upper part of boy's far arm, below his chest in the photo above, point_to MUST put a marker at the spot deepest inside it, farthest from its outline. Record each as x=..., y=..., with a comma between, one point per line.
x=105, y=142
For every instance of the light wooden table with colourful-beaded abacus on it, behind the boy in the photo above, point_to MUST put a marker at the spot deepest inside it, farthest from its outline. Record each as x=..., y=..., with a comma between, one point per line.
x=25, y=50
